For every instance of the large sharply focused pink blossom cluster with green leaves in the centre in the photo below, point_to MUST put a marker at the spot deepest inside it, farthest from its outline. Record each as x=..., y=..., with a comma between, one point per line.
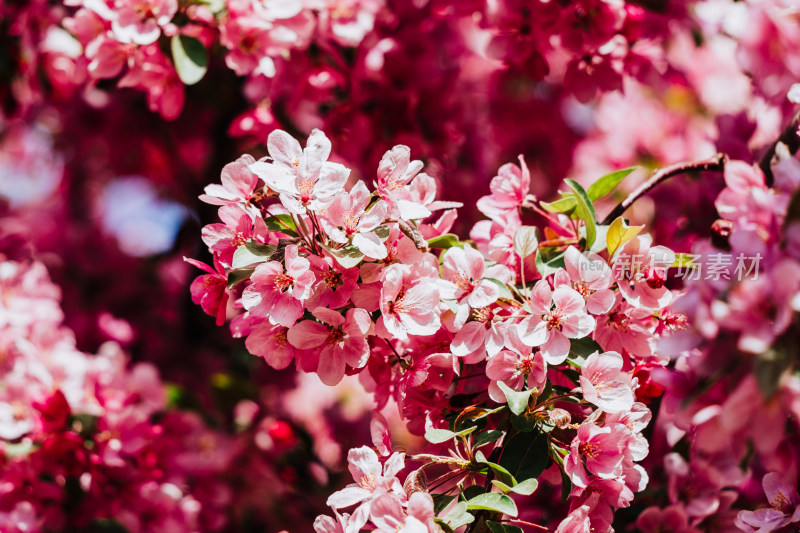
x=342, y=281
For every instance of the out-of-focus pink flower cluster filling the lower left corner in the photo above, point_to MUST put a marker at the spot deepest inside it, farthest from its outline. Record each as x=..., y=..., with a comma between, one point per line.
x=83, y=430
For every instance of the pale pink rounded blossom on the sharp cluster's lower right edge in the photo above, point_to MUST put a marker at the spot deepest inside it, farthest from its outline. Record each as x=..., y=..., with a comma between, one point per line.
x=604, y=384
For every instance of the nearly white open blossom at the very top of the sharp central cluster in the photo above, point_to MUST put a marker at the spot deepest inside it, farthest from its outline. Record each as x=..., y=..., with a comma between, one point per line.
x=304, y=178
